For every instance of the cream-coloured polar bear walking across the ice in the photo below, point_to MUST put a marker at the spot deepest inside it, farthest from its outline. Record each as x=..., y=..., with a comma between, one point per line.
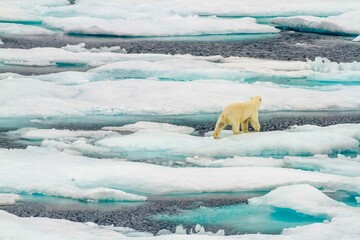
x=237, y=114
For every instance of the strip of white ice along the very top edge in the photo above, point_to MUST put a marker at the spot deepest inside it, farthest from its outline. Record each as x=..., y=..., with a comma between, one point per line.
x=110, y=9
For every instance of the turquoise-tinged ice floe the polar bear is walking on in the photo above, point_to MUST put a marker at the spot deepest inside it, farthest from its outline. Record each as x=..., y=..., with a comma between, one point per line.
x=168, y=144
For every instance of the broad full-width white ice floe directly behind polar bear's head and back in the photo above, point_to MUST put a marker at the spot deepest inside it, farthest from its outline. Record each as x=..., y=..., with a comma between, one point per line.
x=27, y=97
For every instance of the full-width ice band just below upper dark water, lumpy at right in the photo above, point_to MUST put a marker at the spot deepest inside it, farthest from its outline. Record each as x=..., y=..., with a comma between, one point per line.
x=112, y=64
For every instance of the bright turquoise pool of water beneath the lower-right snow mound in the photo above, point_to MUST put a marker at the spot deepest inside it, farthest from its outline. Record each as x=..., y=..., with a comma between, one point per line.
x=241, y=218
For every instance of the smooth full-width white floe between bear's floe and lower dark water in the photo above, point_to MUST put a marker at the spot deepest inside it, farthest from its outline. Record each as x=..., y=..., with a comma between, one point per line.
x=60, y=174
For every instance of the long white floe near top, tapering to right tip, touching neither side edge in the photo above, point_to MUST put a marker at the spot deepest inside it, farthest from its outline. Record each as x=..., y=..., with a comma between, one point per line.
x=169, y=26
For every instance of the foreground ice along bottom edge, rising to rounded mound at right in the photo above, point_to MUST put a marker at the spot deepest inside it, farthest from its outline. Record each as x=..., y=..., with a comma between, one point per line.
x=343, y=225
